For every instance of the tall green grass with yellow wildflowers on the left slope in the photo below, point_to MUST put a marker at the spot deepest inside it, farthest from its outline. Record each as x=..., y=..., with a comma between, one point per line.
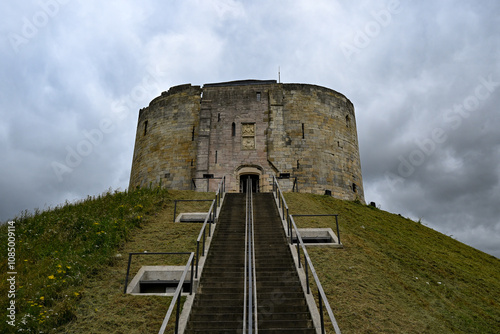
x=58, y=249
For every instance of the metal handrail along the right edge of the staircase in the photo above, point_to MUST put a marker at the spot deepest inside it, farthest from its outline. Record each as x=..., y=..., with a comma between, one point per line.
x=288, y=220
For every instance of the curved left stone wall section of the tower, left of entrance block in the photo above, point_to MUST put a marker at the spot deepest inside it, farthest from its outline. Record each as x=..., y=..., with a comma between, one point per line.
x=166, y=139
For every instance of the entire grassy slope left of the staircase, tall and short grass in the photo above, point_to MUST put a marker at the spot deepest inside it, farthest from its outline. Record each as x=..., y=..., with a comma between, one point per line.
x=69, y=264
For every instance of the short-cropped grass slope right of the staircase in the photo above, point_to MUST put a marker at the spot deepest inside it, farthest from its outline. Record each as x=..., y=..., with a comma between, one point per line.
x=395, y=275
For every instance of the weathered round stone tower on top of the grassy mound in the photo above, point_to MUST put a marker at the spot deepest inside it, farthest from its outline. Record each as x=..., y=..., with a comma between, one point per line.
x=256, y=128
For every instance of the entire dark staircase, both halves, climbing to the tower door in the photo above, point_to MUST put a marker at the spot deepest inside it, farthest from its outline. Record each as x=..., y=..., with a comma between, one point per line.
x=218, y=305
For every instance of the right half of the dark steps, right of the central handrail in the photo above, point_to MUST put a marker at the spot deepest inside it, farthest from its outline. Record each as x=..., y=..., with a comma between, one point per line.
x=282, y=307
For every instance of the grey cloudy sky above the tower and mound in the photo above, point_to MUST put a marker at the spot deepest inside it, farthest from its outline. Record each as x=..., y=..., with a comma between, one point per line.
x=424, y=78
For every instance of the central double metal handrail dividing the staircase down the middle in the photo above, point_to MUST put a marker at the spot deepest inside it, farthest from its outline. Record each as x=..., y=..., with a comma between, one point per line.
x=250, y=286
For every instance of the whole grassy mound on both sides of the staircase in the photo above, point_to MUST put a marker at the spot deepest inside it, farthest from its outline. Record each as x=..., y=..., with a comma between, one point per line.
x=392, y=276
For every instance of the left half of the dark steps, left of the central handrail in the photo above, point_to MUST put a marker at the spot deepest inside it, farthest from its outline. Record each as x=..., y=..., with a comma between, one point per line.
x=218, y=304
